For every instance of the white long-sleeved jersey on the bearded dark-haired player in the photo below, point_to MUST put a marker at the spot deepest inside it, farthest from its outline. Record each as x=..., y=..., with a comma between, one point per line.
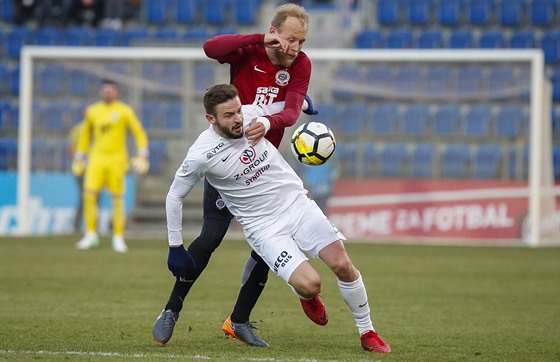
x=255, y=182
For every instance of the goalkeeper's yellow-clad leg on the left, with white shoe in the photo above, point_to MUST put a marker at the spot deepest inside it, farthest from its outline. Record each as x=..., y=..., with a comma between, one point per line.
x=94, y=179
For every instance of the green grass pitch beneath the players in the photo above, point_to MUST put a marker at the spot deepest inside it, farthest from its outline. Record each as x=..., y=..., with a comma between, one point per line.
x=430, y=303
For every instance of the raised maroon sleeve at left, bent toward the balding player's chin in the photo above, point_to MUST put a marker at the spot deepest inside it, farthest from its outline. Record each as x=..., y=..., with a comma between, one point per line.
x=227, y=48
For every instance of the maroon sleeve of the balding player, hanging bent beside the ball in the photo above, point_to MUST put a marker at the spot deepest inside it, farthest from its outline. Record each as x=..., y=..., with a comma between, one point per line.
x=297, y=89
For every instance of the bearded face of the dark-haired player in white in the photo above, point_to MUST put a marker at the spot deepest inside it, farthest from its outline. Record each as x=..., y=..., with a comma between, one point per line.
x=228, y=121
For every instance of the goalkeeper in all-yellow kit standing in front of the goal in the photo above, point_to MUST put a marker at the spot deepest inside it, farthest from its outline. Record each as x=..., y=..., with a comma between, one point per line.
x=102, y=155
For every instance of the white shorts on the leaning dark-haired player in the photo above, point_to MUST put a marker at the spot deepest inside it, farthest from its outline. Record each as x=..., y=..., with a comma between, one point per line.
x=303, y=228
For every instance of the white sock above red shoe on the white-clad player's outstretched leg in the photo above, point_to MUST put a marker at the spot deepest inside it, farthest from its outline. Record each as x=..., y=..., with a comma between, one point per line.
x=355, y=295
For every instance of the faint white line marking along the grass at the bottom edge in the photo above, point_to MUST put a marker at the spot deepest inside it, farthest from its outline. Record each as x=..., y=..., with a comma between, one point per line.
x=164, y=356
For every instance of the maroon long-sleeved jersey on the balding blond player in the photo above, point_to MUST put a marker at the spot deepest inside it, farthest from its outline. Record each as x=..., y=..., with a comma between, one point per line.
x=261, y=82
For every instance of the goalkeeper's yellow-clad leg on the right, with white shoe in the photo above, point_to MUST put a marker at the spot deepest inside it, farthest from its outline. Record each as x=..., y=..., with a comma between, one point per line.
x=116, y=187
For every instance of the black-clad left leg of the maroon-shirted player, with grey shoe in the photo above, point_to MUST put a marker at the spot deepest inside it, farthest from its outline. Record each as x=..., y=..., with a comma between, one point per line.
x=216, y=221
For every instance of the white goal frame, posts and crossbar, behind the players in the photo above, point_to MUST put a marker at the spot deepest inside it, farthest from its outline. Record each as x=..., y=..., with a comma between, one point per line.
x=539, y=102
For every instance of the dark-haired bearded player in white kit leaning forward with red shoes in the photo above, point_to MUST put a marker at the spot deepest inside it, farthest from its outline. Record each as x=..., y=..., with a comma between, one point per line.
x=269, y=201
